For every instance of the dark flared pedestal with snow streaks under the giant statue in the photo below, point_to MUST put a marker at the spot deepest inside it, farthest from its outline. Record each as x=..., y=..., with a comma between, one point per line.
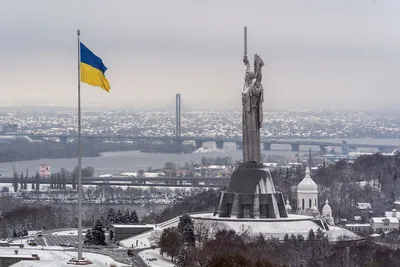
x=251, y=194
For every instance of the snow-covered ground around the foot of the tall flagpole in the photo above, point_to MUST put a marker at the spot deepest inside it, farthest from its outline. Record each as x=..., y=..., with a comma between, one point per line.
x=59, y=258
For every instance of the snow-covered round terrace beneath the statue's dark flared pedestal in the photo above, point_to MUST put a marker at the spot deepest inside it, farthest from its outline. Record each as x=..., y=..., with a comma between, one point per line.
x=277, y=228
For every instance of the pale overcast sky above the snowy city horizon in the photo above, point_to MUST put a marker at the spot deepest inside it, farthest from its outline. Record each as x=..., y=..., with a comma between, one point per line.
x=341, y=53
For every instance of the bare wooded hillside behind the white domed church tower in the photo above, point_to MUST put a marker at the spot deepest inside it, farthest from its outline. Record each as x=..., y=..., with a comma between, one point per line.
x=372, y=178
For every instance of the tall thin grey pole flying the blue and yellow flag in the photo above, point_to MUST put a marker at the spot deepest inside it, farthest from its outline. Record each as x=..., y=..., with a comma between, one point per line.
x=79, y=154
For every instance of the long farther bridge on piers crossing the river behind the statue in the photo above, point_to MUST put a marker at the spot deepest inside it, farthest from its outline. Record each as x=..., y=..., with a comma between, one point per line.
x=219, y=141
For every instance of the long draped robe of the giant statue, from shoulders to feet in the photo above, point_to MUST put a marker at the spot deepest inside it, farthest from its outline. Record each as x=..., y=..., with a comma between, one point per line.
x=252, y=99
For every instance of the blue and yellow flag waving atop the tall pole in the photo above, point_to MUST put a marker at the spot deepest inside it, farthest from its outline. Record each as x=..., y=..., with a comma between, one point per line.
x=93, y=69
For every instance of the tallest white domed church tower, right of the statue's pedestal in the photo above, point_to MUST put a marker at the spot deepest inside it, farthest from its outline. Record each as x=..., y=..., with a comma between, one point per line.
x=307, y=193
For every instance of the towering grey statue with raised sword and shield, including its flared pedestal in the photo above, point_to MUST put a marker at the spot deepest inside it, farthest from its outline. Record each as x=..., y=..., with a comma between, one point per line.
x=251, y=192
